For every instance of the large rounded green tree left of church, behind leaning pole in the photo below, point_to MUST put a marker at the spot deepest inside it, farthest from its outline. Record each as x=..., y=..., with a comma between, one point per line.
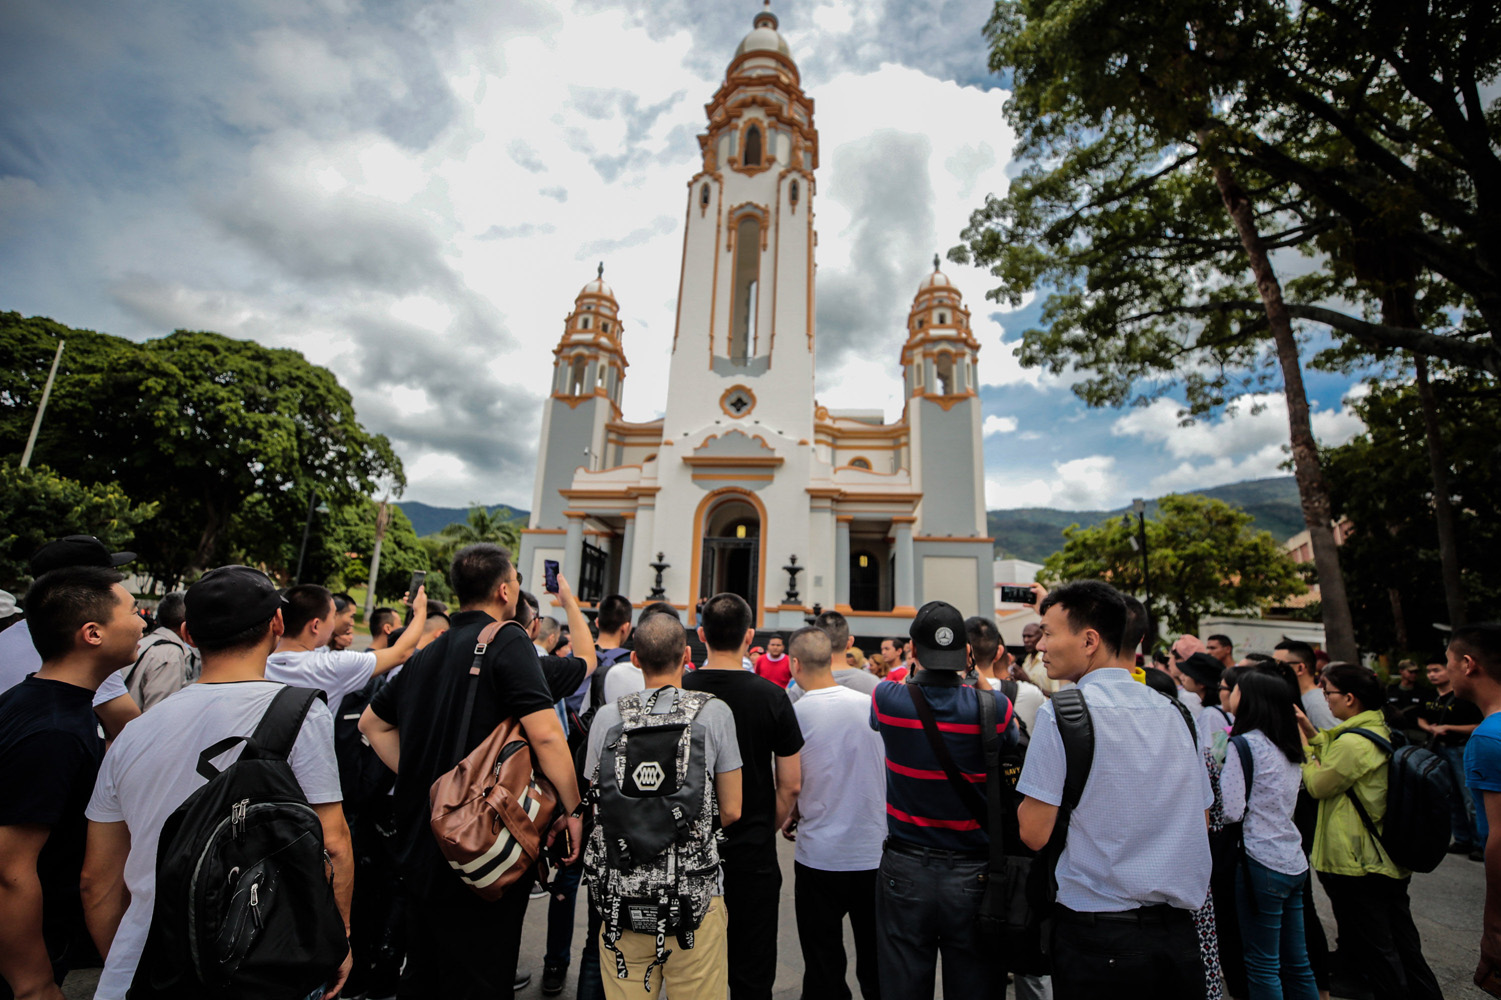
x=227, y=436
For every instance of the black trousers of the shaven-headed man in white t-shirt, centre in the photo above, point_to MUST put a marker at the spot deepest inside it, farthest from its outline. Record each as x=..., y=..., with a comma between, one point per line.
x=823, y=900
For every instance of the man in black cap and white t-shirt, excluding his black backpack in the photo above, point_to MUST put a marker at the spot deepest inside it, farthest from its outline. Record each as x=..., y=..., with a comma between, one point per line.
x=235, y=618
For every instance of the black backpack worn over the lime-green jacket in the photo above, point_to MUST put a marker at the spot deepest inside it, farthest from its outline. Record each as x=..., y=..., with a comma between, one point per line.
x=1419, y=792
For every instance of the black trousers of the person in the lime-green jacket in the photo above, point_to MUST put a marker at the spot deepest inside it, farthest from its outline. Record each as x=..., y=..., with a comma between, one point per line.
x=1379, y=936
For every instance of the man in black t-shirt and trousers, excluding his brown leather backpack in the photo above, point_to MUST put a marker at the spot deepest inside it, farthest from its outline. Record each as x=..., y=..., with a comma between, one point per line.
x=460, y=947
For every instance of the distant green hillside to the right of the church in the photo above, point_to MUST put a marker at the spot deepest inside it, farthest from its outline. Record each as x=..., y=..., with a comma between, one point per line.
x=1035, y=534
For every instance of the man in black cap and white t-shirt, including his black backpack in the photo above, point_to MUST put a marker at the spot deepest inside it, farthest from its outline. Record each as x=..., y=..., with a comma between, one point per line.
x=238, y=902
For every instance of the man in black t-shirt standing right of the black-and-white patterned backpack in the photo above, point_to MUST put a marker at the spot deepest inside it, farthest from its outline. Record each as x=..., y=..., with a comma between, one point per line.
x=771, y=744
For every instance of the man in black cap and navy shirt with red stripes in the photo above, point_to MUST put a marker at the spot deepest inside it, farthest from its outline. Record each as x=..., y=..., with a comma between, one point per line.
x=936, y=863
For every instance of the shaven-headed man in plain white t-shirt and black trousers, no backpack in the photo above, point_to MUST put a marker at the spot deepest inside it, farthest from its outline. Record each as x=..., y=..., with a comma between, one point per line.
x=840, y=822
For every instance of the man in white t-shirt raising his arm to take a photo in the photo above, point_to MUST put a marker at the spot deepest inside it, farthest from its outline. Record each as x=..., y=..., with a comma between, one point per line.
x=304, y=658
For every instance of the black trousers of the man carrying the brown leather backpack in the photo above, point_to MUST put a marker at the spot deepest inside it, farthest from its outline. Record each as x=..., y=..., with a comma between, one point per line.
x=463, y=948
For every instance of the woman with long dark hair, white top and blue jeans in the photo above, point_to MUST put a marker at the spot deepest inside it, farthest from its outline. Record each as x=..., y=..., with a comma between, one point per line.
x=1269, y=887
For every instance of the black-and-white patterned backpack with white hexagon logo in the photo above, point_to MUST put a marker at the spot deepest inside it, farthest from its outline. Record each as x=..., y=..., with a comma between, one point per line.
x=654, y=857
